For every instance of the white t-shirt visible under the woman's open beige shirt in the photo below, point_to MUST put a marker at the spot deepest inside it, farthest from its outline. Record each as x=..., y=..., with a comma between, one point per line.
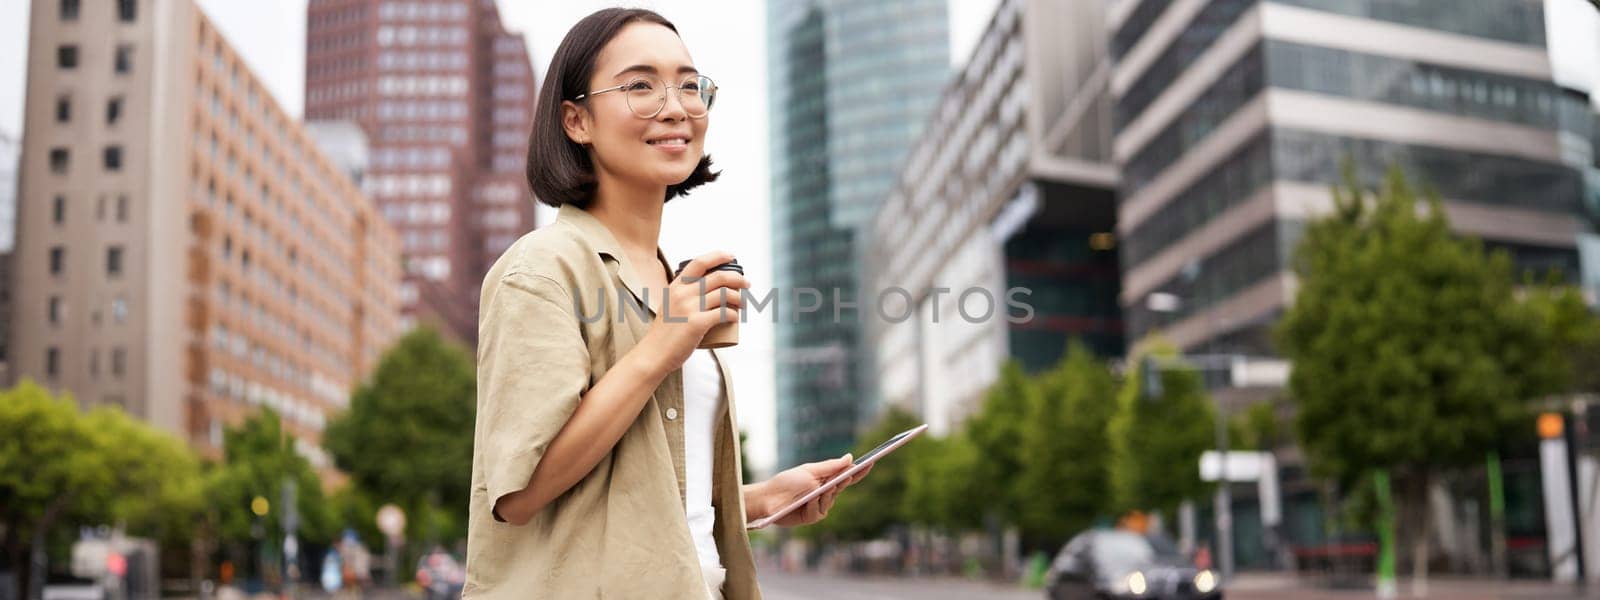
x=702, y=394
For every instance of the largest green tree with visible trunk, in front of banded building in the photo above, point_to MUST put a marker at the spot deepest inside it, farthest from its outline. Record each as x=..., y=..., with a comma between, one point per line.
x=1410, y=350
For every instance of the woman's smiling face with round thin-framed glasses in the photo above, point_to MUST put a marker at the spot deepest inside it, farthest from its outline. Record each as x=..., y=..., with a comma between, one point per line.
x=657, y=151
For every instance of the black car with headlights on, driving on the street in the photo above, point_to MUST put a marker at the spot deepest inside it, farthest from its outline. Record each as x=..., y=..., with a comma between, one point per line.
x=1114, y=564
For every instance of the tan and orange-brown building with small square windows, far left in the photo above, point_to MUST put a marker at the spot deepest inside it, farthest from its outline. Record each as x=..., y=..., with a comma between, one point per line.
x=185, y=250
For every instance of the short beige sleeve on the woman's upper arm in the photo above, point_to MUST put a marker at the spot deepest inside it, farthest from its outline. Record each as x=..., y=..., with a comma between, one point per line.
x=534, y=369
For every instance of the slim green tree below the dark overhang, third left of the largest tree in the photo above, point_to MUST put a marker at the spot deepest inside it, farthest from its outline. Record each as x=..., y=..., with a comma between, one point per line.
x=998, y=434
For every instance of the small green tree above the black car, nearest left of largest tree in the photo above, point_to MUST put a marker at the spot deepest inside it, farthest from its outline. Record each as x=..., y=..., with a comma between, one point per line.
x=1159, y=439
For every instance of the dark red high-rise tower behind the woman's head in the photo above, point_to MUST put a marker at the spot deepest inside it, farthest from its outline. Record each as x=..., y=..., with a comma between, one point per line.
x=444, y=94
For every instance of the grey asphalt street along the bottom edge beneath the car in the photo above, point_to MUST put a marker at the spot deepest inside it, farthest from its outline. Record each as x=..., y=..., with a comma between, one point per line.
x=806, y=586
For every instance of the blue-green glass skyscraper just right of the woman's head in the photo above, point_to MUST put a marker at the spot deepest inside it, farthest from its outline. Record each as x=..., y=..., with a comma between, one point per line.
x=852, y=86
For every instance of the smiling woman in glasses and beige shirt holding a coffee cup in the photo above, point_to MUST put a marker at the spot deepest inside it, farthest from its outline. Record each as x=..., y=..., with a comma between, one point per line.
x=606, y=458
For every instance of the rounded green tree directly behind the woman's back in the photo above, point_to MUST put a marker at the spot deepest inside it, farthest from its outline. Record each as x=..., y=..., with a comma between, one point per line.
x=407, y=438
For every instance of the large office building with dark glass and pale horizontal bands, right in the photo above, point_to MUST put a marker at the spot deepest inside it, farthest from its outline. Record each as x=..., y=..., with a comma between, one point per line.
x=1234, y=118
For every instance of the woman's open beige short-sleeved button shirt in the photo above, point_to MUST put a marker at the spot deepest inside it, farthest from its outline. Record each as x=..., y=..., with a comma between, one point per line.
x=551, y=327
